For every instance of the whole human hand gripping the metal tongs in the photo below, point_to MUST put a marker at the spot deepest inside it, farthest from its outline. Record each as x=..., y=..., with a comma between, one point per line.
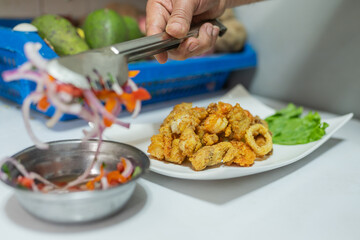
x=176, y=16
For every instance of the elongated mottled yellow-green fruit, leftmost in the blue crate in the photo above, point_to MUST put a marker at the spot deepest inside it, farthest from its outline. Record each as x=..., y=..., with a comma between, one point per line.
x=60, y=34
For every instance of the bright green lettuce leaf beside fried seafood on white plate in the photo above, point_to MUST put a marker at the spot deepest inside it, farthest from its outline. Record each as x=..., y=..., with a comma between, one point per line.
x=288, y=128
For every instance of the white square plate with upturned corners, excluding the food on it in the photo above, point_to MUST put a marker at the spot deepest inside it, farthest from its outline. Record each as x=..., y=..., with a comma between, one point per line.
x=139, y=136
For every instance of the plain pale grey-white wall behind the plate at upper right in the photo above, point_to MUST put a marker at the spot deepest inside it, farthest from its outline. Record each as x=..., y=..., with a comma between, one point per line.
x=309, y=52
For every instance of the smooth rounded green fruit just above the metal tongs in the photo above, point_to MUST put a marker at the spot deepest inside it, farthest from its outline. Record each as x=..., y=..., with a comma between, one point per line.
x=104, y=27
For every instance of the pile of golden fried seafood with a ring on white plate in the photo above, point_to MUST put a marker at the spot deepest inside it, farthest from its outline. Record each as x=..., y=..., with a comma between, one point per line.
x=218, y=134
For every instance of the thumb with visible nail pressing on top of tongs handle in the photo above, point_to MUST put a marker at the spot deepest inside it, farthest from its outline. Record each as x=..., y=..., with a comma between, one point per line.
x=179, y=22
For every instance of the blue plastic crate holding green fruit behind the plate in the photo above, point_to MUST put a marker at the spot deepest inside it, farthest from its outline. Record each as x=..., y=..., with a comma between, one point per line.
x=171, y=80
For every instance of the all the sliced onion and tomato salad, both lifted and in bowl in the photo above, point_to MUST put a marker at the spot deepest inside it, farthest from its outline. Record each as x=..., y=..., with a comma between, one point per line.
x=101, y=107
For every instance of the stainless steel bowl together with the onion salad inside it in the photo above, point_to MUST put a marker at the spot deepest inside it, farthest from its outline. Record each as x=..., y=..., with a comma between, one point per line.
x=65, y=184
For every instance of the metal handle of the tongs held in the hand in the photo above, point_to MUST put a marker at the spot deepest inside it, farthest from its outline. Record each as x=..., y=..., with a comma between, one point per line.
x=161, y=42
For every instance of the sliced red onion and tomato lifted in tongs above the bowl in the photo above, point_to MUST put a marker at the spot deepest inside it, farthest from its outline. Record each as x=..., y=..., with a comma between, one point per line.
x=66, y=98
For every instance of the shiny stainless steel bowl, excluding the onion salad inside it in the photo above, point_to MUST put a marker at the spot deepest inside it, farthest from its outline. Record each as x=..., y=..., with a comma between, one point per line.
x=69, y=158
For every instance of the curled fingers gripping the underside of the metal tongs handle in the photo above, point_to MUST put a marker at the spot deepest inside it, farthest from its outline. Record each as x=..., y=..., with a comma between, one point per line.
x=197, y=46
